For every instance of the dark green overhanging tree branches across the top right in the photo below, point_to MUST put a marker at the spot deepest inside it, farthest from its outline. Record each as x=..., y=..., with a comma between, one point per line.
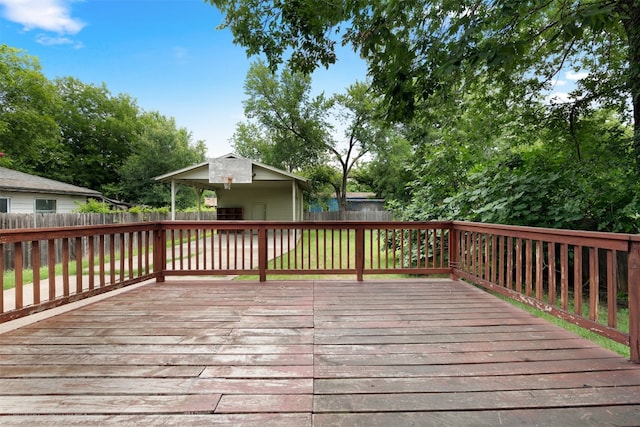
x=419, y=51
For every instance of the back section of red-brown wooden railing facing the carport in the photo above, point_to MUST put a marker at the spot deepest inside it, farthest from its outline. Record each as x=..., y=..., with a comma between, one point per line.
x=304, y=248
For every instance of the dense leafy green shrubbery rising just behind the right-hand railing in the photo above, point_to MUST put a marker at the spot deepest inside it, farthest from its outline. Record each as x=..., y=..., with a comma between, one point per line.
x=558, y=176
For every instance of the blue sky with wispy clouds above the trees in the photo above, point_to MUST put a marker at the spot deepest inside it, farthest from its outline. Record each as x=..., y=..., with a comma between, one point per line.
x=167, y=54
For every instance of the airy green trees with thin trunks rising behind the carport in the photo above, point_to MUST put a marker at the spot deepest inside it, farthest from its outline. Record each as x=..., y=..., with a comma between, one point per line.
x=292, y=131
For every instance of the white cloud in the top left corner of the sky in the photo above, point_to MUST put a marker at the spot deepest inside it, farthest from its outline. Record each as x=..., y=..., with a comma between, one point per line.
x=48, y=15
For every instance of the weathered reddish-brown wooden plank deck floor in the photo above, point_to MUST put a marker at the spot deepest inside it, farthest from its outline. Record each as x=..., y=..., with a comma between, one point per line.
x=375, y=353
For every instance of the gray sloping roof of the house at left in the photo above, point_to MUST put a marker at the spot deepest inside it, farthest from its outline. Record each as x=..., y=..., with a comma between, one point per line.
x=12, y=180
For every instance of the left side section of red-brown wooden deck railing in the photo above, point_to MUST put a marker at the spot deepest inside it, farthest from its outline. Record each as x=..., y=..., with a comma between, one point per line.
x=86, y=257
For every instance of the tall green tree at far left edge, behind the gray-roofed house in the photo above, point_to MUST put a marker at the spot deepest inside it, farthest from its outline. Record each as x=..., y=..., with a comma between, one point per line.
x=29, y=135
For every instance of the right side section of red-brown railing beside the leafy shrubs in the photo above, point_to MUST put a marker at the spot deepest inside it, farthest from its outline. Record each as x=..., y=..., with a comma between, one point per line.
x=562, y=272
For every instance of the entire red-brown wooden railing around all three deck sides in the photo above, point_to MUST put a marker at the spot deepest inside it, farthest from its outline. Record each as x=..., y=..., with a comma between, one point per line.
x=591, y=279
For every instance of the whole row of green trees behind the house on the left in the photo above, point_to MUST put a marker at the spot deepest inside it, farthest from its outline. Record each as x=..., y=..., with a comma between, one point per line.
x=82, y=134
